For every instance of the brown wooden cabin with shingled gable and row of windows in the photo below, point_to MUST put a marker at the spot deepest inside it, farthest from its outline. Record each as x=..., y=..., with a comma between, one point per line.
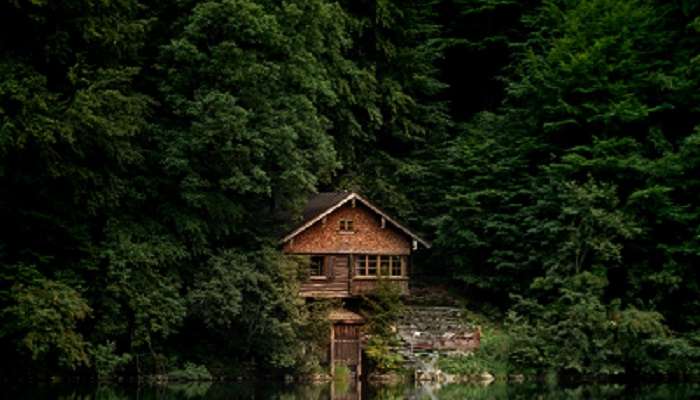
x=351, y=244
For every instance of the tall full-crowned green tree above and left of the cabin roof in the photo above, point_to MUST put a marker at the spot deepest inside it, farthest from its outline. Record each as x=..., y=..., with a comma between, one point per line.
x=248, y=79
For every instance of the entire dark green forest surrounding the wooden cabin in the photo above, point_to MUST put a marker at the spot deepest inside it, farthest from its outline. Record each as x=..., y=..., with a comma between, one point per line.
x=151, y=154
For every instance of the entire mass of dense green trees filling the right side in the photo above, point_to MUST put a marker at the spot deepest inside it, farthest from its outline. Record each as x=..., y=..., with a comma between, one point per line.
x=565, y=196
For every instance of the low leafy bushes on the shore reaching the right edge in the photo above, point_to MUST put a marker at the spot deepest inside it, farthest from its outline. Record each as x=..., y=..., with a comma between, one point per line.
x=577, y=334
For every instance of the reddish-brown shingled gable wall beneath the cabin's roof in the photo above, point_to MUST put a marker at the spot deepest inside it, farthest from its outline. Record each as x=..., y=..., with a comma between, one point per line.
x=368, y=236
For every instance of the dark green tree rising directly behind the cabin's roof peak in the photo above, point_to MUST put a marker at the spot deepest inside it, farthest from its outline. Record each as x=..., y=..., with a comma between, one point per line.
x=398, y=44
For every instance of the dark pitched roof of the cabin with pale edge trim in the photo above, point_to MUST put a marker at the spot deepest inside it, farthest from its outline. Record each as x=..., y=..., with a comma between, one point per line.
x=322, y=204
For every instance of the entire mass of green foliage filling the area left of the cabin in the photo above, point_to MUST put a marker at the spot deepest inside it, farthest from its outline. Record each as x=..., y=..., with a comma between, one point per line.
x=148, y=156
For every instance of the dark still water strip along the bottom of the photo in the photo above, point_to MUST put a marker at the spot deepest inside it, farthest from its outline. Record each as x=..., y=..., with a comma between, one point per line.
x=354, y=392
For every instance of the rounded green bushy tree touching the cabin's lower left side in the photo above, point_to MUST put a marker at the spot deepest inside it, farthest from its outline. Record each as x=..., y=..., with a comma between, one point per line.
x=254, y=294
